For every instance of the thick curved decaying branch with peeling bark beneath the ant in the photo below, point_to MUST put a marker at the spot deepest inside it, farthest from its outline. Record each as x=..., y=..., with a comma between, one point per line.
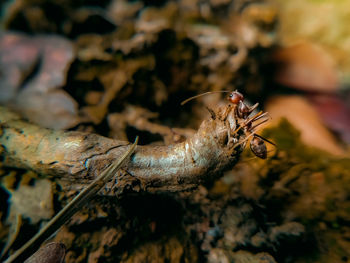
x=80, y=157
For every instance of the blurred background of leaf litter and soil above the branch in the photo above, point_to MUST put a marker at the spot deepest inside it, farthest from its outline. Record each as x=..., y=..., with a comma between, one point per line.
x=290, y=56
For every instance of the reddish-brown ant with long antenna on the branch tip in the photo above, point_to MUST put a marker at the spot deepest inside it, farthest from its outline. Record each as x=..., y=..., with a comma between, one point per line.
x=243, y=111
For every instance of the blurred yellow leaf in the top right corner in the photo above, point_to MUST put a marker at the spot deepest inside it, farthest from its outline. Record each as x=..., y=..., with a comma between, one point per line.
x=322, y=22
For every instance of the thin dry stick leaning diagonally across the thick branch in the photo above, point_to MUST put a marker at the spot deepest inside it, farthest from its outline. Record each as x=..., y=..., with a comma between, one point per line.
x=71, y=208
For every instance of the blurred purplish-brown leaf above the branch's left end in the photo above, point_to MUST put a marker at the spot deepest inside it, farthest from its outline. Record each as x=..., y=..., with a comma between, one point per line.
x=33, y=68
